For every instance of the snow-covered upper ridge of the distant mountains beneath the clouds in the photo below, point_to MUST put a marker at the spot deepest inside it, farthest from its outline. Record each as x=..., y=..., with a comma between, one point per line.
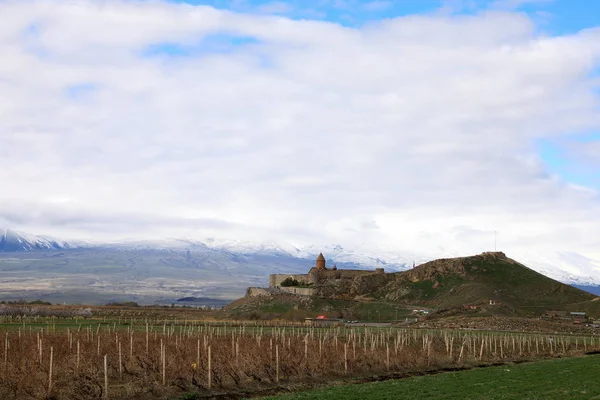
x=567, y=267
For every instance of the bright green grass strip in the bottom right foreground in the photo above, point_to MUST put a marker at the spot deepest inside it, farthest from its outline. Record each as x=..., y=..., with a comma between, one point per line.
x=568, y=378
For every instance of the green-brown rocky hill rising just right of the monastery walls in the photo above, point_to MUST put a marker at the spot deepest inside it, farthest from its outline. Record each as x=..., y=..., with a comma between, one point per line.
x=476, y=280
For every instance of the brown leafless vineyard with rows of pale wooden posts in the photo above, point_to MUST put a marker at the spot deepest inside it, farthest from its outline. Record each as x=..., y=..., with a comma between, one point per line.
x=84, y=359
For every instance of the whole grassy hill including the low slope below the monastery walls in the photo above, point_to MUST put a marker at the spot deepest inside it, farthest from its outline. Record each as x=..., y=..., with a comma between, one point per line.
x=491, y=283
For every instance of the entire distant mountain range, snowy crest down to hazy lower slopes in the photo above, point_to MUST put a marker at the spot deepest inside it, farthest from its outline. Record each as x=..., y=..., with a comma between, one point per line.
x=162, y=271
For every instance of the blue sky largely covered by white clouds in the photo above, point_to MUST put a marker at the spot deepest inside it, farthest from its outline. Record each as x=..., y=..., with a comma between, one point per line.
x=400, y=124
